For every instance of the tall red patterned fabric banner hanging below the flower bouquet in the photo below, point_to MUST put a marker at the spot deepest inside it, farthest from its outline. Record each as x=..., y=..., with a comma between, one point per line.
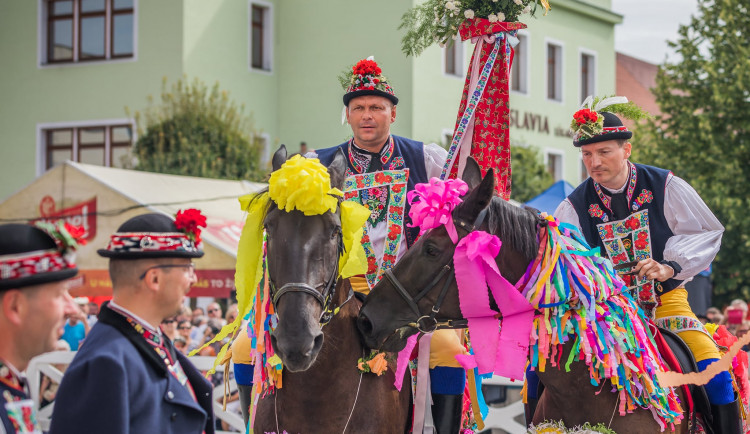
x=486, y=122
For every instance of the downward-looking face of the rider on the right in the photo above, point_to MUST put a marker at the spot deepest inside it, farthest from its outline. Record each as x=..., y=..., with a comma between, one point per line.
x=606, y=162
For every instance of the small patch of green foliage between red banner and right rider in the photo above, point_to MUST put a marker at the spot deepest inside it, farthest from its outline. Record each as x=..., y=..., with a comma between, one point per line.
x=530, y=176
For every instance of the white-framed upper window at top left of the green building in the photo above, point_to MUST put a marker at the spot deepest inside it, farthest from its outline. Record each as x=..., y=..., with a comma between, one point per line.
x=42, y=40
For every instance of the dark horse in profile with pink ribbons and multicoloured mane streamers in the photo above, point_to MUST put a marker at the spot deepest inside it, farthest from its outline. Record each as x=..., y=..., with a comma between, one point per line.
x=389, y=314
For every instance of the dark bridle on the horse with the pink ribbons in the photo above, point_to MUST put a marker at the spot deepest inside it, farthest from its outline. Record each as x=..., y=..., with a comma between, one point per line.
x=429, y=323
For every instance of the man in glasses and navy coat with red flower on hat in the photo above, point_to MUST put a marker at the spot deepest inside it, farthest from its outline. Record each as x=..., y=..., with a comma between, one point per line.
x=127, y=376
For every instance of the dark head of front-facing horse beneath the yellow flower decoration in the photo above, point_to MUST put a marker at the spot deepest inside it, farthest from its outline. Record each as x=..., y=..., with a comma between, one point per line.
x=302, y=260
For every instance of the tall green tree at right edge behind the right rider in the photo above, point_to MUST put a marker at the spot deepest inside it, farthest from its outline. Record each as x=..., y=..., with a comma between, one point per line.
x=703, y=135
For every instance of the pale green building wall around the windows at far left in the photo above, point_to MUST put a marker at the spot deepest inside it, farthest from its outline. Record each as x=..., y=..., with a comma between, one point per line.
x=31, y=94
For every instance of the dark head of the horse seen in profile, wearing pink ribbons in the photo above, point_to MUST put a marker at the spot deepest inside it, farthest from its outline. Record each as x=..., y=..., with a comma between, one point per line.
x=423, y=282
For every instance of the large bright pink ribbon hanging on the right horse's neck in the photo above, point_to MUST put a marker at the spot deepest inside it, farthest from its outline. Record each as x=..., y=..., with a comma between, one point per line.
x=504, y=353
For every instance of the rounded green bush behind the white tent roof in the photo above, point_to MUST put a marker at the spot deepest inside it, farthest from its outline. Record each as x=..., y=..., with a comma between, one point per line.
x=197, y=131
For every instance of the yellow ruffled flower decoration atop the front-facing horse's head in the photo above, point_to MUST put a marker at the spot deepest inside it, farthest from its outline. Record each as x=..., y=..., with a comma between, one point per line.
x=305, y=185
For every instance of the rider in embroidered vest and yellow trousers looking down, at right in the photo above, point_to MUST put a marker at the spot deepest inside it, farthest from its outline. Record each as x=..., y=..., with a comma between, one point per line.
x=654, y=225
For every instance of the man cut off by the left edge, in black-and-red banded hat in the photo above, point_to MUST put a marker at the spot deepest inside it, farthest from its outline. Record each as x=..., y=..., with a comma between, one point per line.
x=35, y=263
